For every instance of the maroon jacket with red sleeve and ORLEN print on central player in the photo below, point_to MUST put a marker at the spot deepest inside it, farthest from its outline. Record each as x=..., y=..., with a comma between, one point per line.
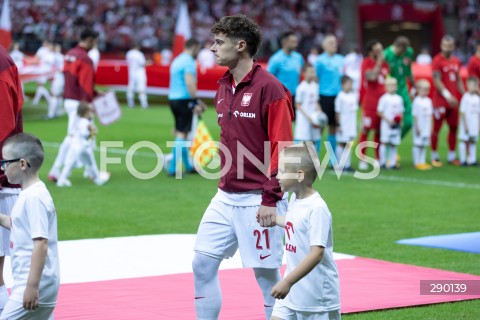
x=260, y=110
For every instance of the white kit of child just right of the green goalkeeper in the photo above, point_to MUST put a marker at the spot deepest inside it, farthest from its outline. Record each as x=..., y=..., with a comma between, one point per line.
x=422, y=111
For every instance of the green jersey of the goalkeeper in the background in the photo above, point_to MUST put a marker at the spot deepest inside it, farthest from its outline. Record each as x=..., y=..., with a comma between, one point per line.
x=400, y=67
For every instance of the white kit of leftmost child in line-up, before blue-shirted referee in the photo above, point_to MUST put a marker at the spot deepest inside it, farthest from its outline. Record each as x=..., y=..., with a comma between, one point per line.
x=307, y=96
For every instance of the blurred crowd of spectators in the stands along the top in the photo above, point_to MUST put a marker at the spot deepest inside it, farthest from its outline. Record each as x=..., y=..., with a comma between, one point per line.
x=121, y=21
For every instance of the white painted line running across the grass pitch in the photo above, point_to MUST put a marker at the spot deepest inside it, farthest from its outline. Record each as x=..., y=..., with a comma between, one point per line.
x=440, y=183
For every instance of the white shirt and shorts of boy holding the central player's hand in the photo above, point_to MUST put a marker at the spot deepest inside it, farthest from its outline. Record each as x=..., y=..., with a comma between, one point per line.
x=317, y=295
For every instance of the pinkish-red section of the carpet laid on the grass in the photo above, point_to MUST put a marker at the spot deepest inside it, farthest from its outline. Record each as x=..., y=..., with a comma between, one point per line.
x=366, y=284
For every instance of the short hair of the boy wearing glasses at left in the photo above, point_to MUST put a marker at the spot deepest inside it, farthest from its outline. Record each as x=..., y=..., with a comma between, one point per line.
x=26, y=146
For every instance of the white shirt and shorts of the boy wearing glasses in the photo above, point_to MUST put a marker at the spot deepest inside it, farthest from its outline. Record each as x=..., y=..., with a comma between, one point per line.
x=33, y=216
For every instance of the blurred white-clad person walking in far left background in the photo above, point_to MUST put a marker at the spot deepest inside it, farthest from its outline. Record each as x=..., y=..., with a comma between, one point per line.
x=46, y=60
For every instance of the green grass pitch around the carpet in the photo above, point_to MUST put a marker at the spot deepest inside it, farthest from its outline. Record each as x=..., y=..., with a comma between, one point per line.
x=369, y=216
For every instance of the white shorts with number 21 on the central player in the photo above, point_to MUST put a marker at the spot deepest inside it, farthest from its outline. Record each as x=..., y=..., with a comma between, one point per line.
x=226, y=227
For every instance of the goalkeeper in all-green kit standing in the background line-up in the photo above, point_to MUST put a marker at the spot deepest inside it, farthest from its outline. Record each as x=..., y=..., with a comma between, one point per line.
x=399, y=57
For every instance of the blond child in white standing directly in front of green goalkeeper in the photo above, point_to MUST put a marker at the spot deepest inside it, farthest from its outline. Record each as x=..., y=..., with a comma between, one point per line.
x=390, y=110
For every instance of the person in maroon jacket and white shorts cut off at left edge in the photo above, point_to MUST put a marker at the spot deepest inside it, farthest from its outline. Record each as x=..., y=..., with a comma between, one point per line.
x=11, y=102
